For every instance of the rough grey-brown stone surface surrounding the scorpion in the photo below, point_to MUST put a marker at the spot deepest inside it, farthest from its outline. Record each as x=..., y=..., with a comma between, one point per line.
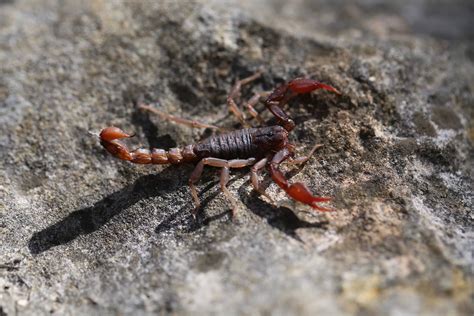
x=83, y=233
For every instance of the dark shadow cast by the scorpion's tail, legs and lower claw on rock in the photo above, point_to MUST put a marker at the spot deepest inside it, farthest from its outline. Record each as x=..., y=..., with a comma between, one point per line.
x=88, y=220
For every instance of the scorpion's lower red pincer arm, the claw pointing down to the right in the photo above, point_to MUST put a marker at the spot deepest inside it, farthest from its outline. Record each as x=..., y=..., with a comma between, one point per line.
x=298, y=191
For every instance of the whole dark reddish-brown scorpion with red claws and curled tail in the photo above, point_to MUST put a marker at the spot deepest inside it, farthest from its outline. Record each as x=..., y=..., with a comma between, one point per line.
x=255, y=147
